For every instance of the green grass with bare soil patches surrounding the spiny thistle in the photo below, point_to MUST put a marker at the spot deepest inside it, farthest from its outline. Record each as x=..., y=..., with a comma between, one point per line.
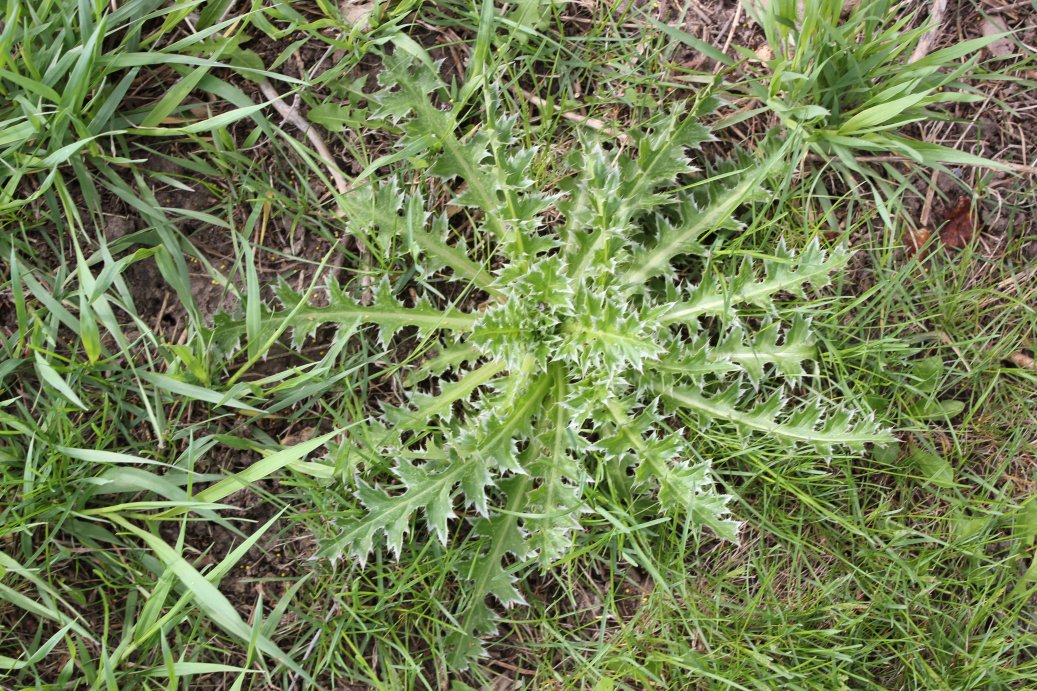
x=144, y=191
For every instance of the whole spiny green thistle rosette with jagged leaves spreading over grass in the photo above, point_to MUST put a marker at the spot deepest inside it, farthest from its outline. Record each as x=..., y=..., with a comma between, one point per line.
x=586, y=352
